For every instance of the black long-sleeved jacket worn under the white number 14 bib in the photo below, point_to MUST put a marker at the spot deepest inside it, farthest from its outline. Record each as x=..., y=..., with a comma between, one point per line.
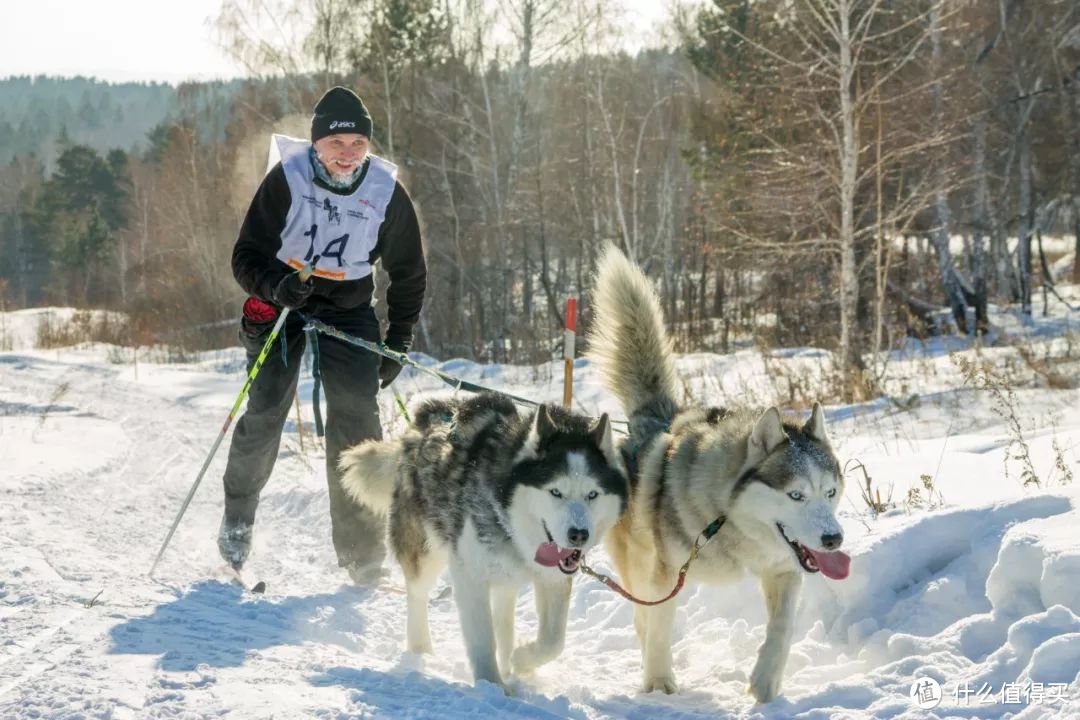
x=258, y=269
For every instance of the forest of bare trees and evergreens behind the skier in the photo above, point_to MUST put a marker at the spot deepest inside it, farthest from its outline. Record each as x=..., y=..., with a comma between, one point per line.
x=832, y=173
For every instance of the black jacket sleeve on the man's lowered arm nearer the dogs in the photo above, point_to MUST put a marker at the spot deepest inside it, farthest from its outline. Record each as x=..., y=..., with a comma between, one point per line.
x=401, y=251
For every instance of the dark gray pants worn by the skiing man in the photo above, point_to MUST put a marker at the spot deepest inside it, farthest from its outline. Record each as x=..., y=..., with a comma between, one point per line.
x=352, y=379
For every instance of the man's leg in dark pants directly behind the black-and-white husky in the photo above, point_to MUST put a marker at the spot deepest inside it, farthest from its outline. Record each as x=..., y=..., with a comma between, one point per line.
x=352, y=378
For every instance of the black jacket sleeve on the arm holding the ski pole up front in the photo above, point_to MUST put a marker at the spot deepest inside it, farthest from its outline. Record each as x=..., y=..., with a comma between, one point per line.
x=255, y=264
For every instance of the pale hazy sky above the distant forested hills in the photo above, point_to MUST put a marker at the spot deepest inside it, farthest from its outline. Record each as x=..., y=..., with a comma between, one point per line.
x=121, y=40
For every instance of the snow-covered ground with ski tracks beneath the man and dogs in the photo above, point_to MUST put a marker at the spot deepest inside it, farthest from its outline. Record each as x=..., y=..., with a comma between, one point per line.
x=974, y=585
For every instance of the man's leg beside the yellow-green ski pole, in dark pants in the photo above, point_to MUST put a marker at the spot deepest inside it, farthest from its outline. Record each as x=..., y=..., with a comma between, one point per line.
x=258, y=436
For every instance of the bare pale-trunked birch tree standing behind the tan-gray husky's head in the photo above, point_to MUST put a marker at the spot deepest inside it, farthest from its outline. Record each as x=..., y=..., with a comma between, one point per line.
x=832, y=62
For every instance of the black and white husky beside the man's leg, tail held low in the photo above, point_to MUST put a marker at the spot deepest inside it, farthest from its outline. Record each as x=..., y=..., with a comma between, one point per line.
x=504, y=500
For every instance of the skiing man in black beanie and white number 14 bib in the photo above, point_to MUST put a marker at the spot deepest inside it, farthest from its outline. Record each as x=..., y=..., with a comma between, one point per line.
x=332, y=200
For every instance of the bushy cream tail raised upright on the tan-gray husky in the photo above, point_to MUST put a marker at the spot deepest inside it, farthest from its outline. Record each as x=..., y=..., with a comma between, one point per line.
x=628, y=339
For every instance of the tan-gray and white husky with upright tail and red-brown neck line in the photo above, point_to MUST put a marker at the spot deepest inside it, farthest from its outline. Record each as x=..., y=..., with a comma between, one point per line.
x=776, y=486
